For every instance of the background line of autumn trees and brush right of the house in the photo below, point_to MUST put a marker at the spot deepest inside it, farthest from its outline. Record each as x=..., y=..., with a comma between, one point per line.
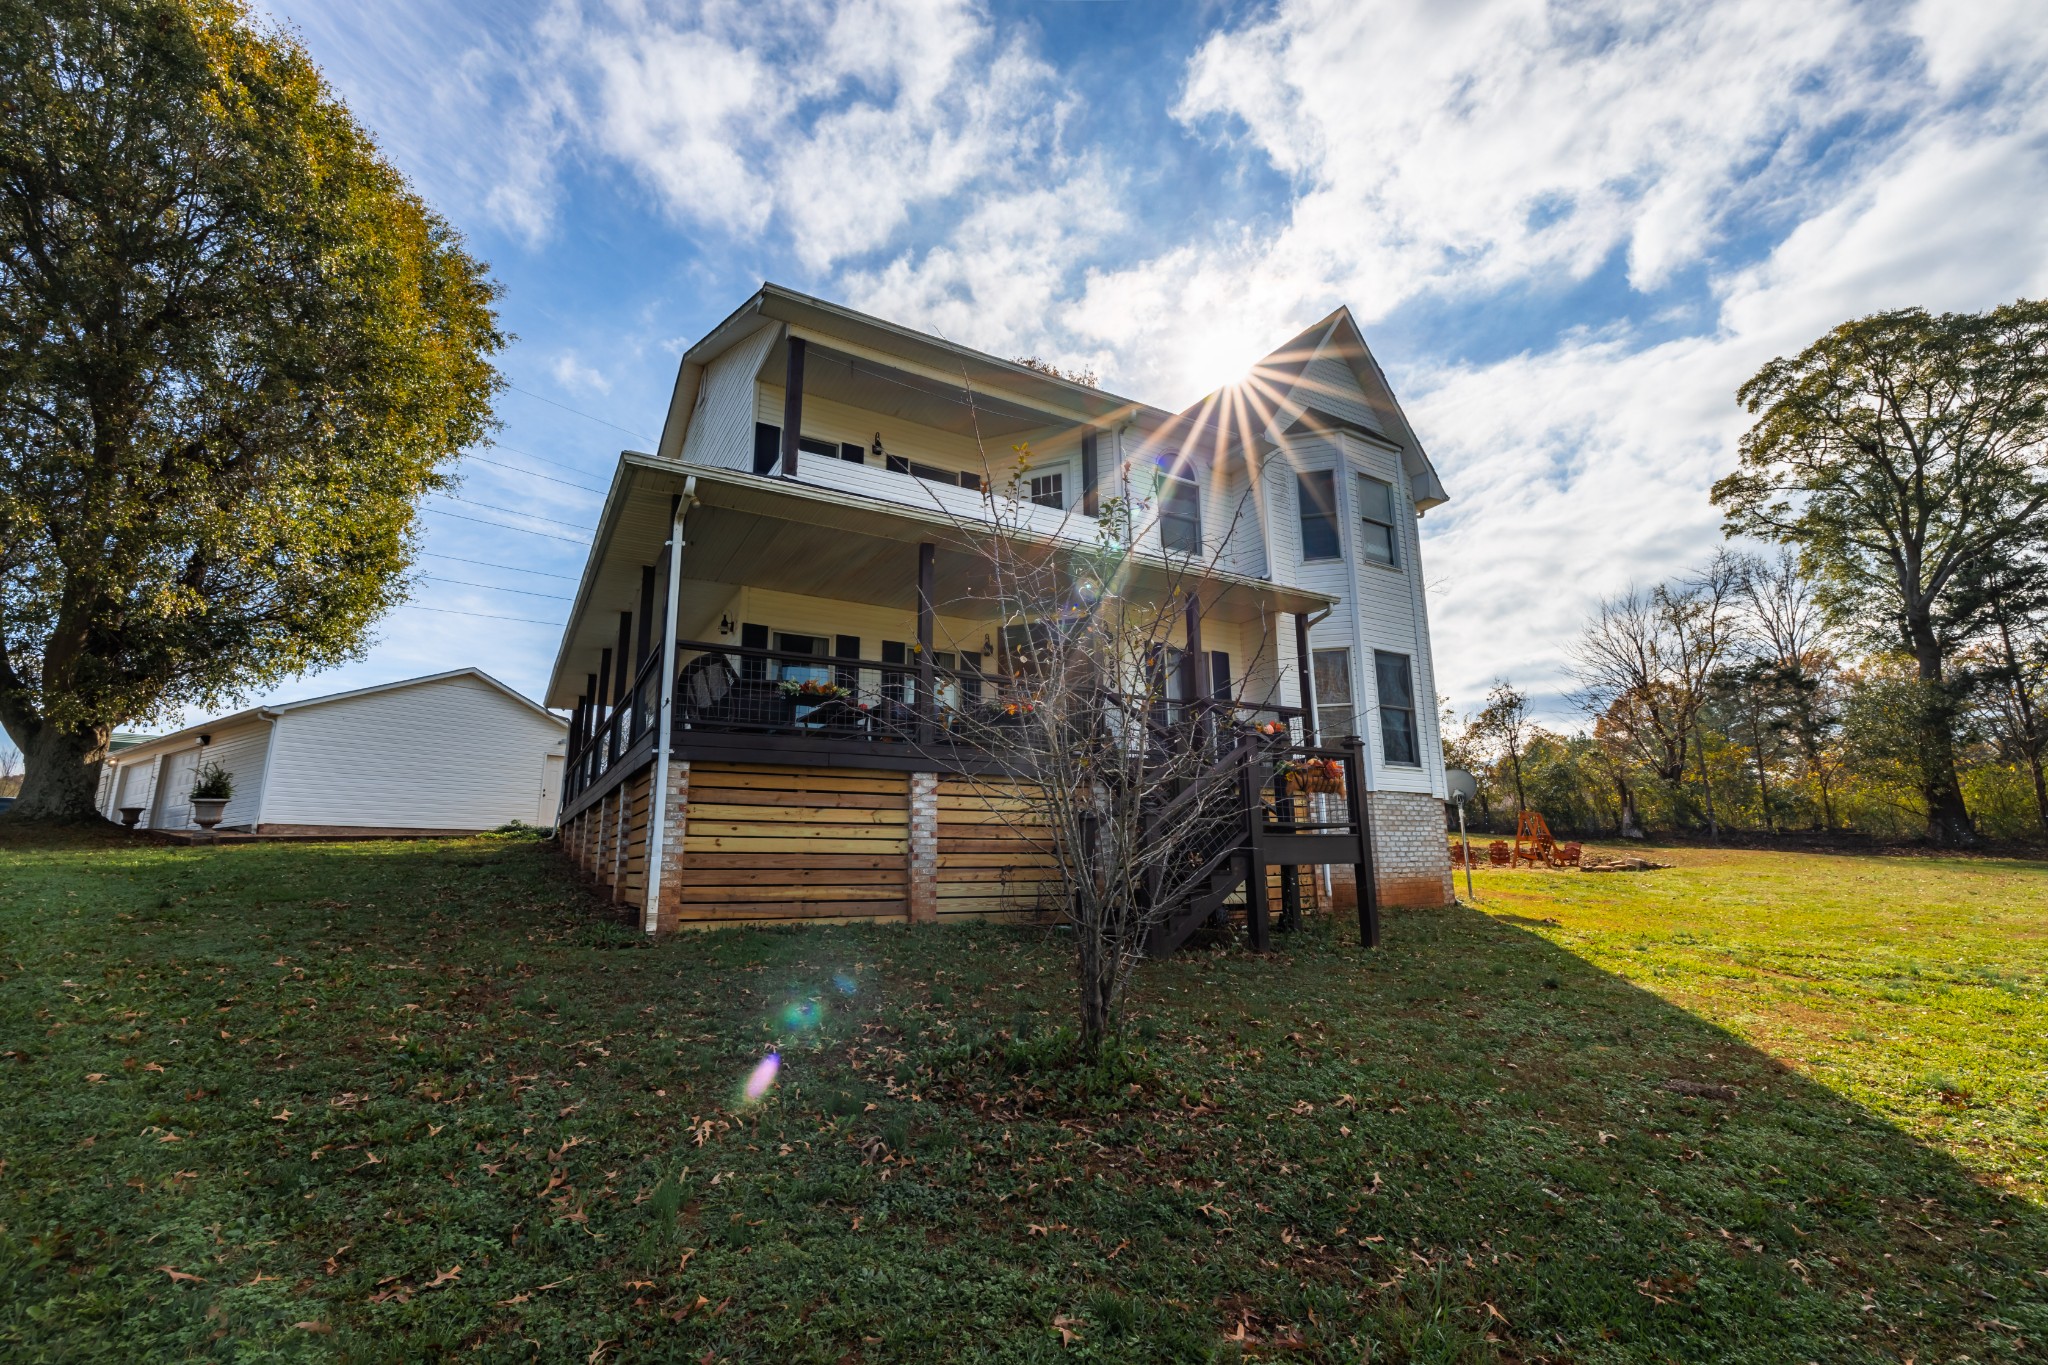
x=1725, y=703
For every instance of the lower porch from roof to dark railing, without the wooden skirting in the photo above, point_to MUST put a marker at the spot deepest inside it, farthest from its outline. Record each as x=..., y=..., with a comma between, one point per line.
x=845, y=619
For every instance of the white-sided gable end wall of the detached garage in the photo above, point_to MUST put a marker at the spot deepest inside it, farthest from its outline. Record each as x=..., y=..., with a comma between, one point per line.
x=447, y=754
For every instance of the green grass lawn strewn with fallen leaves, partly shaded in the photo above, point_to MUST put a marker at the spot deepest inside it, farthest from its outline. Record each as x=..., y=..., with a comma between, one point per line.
x=419, y=1100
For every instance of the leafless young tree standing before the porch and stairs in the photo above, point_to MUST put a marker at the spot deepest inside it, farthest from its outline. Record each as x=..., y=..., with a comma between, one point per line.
x=1127, y=768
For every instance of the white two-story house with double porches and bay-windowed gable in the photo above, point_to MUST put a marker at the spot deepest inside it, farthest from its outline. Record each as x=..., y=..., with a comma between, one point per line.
x=802, y=523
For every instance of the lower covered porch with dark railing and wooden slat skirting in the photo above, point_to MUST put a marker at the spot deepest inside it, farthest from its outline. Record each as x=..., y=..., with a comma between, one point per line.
x=800, y=695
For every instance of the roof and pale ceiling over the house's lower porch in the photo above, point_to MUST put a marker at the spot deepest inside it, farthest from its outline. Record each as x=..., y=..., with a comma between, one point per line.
x=818, y=537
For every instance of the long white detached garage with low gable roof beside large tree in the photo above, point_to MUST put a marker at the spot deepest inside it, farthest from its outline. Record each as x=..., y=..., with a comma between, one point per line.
x=441, y=754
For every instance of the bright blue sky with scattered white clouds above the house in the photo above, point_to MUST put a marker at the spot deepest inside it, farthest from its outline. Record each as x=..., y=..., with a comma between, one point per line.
x=1570, y=230
